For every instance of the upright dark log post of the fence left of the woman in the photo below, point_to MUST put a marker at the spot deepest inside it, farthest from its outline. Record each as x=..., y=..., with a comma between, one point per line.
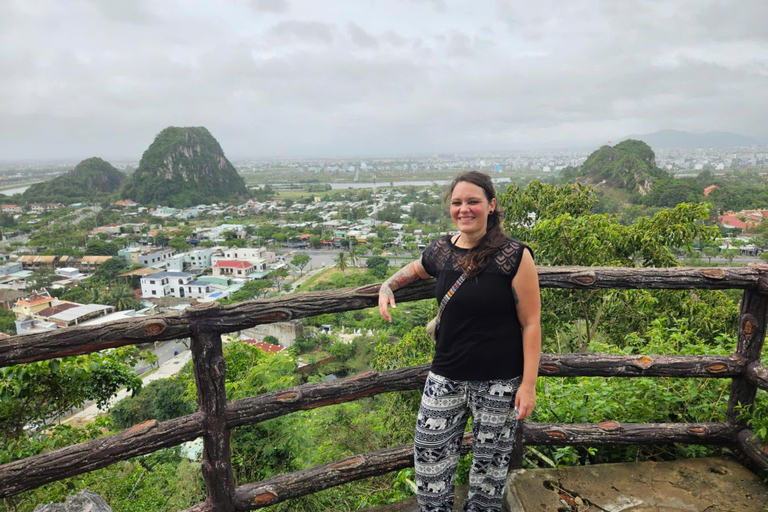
x=210, y=368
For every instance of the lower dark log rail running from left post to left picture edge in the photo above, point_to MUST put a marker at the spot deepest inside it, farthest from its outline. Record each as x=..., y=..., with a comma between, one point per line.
x=141, y=439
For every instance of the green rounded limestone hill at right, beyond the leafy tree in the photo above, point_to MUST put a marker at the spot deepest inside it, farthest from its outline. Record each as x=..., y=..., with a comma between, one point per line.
x=629, y=165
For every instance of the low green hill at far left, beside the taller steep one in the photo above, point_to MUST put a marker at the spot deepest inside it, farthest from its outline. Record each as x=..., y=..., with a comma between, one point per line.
x=92, y=179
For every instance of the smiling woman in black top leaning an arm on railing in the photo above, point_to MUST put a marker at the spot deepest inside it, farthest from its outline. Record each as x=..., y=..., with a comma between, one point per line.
x=487, y=351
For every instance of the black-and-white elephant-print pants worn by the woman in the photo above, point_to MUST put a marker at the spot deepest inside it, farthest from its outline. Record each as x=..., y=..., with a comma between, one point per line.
x=446, y=405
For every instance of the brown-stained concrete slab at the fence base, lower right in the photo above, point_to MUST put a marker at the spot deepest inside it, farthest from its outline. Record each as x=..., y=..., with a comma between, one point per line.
x=692, y=485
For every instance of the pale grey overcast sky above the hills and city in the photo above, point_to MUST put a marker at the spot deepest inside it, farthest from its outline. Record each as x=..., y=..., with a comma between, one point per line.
x=295, y=78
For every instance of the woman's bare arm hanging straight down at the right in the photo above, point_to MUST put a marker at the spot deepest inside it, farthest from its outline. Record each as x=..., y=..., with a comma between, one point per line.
x=525, y=289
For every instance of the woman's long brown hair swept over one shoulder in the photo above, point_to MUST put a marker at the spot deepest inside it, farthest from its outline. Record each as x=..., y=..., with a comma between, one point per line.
x=480, y=255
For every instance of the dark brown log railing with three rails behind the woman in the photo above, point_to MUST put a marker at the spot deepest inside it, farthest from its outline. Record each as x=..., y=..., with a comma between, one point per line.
x=204, y=324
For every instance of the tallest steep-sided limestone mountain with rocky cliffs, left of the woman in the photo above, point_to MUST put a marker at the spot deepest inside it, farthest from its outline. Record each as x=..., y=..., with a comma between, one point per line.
x=184, y=166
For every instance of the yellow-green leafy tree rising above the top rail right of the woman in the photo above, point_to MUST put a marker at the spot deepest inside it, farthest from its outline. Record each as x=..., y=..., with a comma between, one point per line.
x=565, y=232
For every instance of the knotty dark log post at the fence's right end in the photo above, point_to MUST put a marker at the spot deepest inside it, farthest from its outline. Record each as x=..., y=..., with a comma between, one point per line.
x=754, y=307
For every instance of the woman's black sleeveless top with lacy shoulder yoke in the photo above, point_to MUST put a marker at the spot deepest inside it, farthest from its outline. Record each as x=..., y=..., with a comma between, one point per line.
x=480, y=337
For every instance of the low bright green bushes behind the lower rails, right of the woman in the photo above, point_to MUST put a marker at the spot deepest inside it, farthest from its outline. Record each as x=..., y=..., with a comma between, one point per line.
x=651, y=400
